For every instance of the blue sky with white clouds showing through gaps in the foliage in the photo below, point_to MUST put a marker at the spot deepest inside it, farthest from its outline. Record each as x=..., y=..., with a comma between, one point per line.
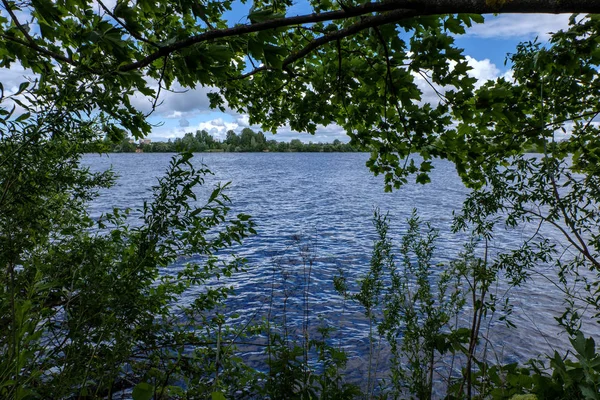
x=486, y=46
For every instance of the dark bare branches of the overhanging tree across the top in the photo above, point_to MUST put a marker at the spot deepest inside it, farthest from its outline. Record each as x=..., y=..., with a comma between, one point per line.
x=372, y=14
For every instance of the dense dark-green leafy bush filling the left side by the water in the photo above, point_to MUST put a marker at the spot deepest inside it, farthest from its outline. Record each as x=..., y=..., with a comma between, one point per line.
x=90, y=308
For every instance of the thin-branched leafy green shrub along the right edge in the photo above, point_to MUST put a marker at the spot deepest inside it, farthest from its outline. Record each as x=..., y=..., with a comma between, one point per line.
x=553, y=196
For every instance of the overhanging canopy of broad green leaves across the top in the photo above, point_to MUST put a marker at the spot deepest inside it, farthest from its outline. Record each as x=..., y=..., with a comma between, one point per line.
x=349, y=63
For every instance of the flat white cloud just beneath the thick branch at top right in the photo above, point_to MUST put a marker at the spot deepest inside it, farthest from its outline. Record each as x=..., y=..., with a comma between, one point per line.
x=520, y=26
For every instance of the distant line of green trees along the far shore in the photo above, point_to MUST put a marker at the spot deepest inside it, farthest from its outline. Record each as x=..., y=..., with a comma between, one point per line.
x=202, y=141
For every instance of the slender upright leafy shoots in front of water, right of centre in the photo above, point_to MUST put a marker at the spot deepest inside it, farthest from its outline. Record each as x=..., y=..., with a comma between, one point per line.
x=413, y=312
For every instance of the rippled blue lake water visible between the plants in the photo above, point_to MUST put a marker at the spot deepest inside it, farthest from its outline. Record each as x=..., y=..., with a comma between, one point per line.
x=325, y=201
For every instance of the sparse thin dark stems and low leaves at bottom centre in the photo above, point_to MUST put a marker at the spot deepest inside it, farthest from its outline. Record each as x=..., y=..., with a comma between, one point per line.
x=302, y=359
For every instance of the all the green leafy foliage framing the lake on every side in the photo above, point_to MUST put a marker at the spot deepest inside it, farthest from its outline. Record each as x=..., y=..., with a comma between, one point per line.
x=90, y=308
